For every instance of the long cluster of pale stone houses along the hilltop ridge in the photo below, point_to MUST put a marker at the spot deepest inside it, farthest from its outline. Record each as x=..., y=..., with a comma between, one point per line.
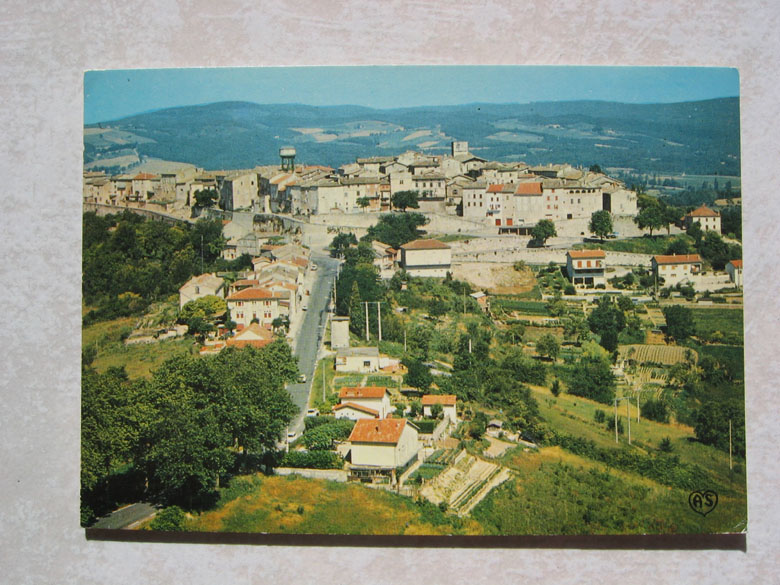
x=501, y=194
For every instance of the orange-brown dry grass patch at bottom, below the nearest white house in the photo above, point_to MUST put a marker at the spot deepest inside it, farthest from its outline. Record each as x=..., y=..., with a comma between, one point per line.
x=295, y=505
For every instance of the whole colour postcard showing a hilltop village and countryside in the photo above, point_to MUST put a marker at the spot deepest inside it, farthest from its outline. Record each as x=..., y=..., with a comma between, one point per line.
x=413, y=301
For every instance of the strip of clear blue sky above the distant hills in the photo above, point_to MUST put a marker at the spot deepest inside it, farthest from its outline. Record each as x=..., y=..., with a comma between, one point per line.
x=109, y=95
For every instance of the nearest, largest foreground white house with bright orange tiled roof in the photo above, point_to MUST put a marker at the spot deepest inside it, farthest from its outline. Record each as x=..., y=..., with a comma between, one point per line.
x=384, y=444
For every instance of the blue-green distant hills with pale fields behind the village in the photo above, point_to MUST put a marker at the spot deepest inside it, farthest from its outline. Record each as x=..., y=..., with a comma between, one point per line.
x=692, y=137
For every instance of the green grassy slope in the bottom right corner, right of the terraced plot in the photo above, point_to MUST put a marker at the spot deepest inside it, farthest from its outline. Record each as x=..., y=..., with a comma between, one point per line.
x=556, y=492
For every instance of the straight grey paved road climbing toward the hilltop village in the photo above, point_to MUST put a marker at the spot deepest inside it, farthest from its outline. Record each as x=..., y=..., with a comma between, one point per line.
x=311, y=333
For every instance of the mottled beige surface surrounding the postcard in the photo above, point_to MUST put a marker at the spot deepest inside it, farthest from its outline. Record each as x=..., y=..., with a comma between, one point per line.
x=44, y=48
